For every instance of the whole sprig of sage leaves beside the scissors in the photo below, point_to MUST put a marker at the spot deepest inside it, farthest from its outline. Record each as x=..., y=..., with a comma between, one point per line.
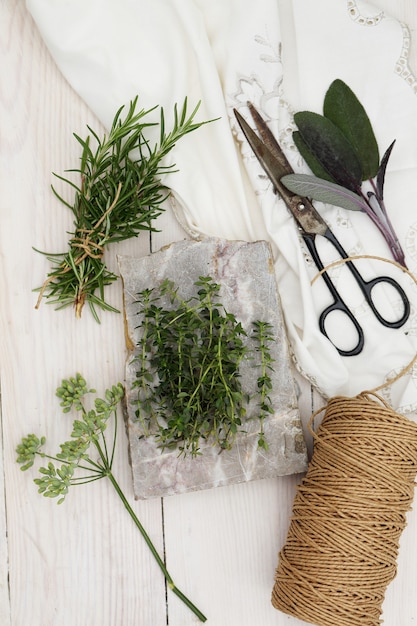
x=341, y=150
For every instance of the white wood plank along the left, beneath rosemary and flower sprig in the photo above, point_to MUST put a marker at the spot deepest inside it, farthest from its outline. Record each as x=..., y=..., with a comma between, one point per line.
x=83, y=562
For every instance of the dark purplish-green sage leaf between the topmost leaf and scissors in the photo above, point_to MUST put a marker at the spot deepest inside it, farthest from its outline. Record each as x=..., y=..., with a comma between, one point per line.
x=329, y=145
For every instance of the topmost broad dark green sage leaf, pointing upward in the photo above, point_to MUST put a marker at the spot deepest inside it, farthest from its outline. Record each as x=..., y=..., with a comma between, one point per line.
x=343, y=108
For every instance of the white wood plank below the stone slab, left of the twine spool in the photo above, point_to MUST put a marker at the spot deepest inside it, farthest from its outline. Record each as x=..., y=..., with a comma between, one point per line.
x=224, y=544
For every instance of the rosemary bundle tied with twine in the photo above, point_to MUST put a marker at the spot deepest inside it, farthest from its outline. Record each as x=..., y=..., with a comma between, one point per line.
x=119, y=195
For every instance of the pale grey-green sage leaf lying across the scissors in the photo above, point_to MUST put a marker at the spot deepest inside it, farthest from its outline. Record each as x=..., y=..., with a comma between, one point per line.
x=323, y=191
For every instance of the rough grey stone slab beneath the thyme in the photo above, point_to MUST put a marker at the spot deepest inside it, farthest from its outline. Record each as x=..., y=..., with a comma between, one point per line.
x=248, y=290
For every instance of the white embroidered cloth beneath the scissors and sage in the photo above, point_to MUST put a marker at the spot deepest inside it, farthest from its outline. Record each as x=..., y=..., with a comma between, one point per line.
x=281, y=55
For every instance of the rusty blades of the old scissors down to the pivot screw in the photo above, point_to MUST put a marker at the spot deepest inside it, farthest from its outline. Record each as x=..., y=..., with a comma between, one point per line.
x=275, y=164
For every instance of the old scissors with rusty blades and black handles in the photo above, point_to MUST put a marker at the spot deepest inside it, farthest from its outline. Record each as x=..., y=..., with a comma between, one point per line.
x=310, y=223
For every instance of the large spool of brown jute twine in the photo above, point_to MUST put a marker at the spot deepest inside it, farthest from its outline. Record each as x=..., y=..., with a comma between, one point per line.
x=349, y=512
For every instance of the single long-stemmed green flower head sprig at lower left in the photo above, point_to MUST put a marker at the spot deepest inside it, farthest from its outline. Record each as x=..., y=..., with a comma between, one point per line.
x=74, y=464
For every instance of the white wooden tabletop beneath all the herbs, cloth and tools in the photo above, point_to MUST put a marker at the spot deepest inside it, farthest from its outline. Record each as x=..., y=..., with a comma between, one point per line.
x=84, y=563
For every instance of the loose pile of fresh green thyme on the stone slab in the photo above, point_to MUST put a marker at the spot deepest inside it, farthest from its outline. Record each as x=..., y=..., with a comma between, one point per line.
x=188, y=361
